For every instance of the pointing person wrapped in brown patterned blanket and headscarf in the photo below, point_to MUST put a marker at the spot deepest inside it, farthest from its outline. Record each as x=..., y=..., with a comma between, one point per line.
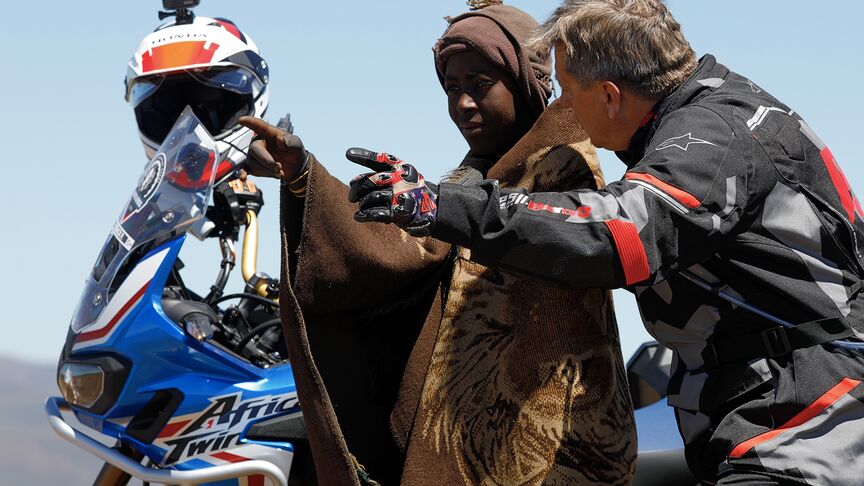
x=437, y=369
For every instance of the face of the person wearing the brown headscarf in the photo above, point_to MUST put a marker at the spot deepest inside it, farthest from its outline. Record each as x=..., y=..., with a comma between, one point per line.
x=485, y=104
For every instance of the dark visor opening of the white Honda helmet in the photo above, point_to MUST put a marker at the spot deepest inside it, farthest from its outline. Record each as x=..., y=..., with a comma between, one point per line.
x=218, y=109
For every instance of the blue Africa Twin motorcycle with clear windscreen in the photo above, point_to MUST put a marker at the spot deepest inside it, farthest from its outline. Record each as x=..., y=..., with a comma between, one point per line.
x=193, y=390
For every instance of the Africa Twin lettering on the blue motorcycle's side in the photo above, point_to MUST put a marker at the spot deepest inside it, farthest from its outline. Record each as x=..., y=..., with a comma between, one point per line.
x=220, y=425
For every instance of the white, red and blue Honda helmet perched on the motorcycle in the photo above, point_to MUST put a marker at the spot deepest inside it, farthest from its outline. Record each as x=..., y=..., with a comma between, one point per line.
x=208, y=64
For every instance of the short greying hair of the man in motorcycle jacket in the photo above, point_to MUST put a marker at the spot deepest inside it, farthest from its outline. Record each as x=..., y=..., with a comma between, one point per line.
x=636, y=43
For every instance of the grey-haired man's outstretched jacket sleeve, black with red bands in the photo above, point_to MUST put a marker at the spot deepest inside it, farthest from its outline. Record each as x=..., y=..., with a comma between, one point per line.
x=670, y=211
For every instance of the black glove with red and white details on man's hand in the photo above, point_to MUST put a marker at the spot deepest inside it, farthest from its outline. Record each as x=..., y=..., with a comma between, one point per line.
x=396, y=194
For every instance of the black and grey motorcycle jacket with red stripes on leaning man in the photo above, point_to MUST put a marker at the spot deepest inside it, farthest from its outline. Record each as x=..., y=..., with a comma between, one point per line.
x=732, y=216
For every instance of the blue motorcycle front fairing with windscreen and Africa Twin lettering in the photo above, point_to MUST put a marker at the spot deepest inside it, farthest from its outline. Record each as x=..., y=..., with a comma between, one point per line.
x=120, y=315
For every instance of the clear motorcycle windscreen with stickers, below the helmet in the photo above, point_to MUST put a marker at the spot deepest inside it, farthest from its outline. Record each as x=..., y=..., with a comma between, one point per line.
x=171, y=194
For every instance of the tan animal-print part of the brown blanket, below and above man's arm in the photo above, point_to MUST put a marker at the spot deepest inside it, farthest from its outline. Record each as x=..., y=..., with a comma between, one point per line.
x=526, y=383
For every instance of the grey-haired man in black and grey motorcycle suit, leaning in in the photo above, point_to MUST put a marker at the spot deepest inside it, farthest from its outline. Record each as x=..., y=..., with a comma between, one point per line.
x=733, y=225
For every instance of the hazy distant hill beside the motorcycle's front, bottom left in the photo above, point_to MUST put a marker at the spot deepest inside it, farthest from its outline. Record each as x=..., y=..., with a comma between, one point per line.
x=30, y=452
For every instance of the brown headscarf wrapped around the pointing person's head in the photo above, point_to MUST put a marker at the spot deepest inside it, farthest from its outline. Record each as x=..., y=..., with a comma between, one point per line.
x=498, y=32
